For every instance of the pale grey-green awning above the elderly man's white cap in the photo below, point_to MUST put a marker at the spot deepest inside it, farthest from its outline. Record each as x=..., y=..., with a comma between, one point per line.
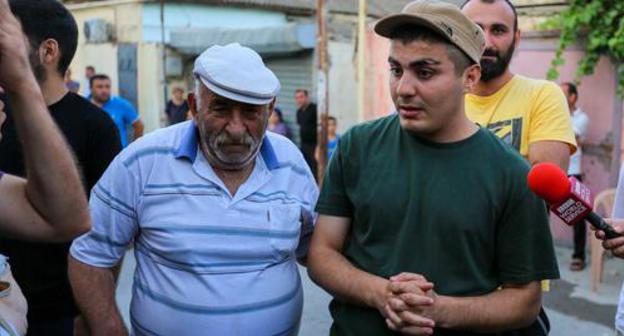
x=267, y=40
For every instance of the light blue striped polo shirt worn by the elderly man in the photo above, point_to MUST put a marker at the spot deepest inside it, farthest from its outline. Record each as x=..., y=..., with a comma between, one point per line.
x=207, y=262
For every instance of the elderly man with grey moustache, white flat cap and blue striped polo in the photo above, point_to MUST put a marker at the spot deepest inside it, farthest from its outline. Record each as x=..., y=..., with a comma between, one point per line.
x=218, y=210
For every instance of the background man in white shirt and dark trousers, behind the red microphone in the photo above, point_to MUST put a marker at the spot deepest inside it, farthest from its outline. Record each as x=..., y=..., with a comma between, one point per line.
x=580, y=124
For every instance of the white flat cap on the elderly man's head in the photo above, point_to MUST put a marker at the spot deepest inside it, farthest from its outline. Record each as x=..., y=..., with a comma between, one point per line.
x=237, y=73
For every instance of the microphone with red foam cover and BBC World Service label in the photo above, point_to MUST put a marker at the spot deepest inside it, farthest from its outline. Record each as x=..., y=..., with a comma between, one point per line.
x=569, y=199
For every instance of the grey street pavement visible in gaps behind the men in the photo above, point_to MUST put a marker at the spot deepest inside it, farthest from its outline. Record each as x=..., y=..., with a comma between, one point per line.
x=573, y=309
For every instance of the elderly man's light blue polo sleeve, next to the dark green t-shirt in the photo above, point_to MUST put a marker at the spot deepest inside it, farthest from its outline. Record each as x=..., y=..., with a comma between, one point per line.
x=308, y=215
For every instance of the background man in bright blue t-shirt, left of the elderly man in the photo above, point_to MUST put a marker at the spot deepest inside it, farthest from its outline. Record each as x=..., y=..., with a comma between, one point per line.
x=119, y=109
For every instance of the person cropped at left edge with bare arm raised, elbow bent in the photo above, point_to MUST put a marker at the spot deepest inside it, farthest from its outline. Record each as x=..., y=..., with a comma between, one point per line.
x=34, y=208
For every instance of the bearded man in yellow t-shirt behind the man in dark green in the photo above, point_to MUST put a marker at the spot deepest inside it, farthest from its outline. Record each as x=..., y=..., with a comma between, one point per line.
x=531, y=115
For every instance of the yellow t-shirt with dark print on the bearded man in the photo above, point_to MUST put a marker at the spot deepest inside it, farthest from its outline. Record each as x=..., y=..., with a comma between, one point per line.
x=524, y=111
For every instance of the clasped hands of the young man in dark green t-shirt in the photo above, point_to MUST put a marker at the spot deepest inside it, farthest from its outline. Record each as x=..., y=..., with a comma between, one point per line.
x=410, y=309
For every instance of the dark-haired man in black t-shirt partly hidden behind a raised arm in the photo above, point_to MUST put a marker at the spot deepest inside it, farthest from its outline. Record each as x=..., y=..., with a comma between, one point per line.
x=41, y=269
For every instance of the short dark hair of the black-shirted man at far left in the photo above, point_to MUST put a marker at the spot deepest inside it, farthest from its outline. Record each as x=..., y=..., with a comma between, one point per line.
x=48, y=19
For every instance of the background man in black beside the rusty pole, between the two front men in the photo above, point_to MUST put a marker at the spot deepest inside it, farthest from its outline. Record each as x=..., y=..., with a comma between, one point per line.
x=307, y=120
